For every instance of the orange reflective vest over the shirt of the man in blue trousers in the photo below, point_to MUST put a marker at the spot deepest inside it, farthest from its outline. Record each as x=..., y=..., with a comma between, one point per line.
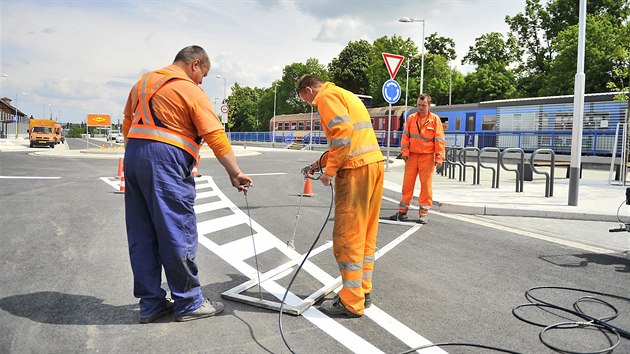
x=146, y=126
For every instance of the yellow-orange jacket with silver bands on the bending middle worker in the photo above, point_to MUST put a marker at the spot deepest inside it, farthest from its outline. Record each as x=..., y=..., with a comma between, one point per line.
x=346, y=122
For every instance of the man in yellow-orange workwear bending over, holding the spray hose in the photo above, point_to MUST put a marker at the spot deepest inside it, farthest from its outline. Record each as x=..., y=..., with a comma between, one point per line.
x=356, y=162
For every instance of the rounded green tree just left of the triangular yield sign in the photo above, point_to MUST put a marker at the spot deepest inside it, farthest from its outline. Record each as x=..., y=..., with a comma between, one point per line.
x=349, y=69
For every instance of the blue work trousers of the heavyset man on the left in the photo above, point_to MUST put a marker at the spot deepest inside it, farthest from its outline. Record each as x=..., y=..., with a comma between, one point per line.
x=161, y=225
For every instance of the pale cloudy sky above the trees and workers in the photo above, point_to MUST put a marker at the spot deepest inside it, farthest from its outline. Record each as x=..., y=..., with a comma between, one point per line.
x=68, y=59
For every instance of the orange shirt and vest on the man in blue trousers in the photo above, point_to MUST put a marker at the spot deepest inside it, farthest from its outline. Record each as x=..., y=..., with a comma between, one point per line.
x=184, y=112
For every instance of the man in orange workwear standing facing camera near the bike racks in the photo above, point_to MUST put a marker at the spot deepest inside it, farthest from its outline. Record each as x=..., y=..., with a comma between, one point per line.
x=422, y=149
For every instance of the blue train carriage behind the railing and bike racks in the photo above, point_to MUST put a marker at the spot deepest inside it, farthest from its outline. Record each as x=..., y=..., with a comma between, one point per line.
x=532, y=123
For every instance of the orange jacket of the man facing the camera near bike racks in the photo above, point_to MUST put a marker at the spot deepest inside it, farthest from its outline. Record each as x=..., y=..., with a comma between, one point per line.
x=423, y=135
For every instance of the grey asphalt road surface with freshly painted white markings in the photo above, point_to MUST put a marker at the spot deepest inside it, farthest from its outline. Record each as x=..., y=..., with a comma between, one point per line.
x=67, y=283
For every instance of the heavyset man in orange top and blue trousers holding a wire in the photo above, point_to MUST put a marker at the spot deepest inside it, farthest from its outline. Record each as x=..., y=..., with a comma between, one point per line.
x=166, y=115
